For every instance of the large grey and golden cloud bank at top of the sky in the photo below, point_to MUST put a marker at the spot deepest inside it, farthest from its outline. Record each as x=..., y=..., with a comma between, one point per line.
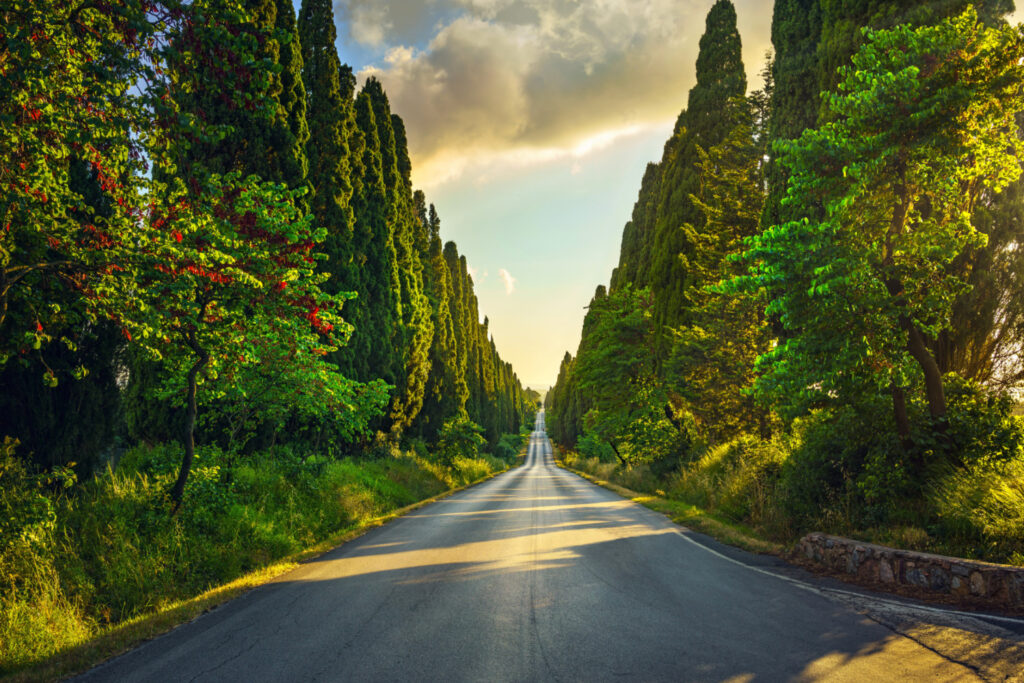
x=537, y=78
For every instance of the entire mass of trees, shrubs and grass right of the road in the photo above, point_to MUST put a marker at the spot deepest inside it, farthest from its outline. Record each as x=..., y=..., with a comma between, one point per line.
x=818, y=318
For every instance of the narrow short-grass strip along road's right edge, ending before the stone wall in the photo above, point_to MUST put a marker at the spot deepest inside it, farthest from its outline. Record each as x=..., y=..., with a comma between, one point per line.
x=717, y=527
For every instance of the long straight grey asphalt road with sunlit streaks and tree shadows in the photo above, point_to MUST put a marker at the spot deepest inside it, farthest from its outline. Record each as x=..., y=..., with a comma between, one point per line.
x=540, y=576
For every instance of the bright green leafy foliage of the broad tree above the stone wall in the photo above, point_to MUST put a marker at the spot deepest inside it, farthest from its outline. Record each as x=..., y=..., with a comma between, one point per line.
x=864, y=286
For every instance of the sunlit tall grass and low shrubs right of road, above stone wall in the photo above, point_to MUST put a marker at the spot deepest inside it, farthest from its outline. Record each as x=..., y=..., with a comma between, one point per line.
x=974, y=510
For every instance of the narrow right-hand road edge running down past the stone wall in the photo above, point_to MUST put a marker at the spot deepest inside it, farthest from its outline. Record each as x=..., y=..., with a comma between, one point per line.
x=733, y=545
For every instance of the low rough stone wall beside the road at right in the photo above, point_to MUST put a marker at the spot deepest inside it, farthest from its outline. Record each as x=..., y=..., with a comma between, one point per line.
x=975, y=582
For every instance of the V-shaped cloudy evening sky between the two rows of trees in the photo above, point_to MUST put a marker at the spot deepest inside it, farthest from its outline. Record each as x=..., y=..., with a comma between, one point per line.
x=530, y=124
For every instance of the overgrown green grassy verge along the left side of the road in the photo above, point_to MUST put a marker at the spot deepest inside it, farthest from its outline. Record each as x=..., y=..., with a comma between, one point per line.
x=112, y=569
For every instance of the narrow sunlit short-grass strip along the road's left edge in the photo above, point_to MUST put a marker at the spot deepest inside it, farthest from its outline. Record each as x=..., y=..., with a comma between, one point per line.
x=133, y=633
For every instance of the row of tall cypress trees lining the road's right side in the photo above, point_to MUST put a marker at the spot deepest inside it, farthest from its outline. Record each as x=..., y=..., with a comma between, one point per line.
x=721, y=158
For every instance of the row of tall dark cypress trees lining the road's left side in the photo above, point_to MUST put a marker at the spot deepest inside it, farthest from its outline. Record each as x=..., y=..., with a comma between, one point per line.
x=416, y=320
